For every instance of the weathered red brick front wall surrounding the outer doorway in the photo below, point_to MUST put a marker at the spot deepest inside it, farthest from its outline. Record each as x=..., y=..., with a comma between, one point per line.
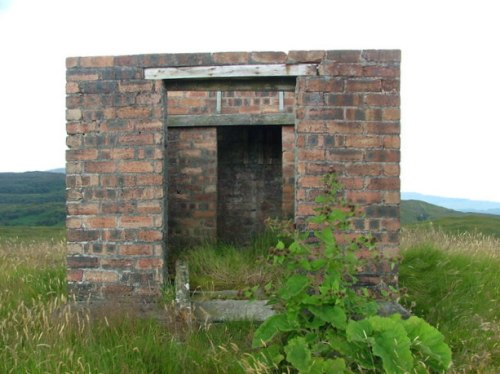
x=347, y=119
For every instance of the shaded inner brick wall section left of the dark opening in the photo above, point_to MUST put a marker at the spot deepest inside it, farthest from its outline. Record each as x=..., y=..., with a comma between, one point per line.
x=192, y=193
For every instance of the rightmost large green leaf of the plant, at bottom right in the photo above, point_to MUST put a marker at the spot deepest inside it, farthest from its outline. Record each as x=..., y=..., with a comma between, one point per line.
x=429, y=343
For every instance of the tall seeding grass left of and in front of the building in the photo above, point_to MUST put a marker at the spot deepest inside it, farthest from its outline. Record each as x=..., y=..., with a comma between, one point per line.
x=40, y=332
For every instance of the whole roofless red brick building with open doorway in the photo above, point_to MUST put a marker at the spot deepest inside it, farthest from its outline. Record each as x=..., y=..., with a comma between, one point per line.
x=169, y=148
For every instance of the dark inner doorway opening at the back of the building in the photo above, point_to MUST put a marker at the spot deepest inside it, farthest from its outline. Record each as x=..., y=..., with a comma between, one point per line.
x=249, y=180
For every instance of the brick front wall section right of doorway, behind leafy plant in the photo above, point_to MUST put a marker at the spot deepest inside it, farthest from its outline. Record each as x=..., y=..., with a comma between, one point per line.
x=347, y=121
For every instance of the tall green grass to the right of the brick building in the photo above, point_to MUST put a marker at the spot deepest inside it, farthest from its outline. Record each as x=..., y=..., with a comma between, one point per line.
x=452, y=281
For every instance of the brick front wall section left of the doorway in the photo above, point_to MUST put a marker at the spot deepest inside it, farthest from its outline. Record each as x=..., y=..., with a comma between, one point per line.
x=115, y=180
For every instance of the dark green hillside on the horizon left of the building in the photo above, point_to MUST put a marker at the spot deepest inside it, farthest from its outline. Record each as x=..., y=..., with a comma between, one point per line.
x=32, y=199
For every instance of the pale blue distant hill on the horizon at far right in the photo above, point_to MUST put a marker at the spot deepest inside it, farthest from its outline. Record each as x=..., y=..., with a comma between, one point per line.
x=462, y=205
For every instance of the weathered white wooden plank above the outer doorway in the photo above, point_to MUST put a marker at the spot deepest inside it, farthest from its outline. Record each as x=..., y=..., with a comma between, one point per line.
x=230, y=71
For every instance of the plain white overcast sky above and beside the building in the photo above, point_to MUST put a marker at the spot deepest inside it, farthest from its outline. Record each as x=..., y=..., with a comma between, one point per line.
x=450, y=129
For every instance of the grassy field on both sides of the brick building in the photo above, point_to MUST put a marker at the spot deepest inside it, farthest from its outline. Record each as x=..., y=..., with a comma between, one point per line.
x=449, y=279
